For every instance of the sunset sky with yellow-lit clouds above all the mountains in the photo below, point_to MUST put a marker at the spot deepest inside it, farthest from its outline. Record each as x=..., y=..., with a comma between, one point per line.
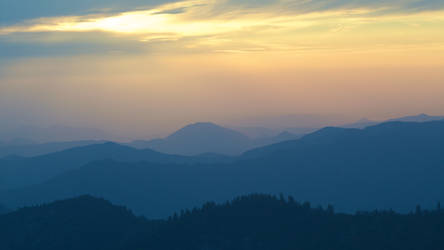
x=147, y=67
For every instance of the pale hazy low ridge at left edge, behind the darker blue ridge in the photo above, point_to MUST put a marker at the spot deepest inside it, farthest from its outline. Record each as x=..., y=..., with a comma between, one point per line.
x=34, y=149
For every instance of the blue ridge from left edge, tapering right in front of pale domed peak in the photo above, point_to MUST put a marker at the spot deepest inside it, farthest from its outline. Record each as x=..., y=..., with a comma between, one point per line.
x=19, y=172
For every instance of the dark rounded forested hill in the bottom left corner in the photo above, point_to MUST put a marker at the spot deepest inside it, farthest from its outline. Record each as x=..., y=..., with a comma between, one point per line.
x=79, y=223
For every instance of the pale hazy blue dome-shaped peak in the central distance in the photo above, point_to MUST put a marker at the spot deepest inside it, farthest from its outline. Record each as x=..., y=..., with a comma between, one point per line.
x=200, y=138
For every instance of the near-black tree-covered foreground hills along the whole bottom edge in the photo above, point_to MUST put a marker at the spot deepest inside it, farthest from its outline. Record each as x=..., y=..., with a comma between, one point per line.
x=254, y=222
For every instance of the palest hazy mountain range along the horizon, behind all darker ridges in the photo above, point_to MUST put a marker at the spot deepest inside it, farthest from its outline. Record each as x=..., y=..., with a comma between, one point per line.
x=193, y=139
